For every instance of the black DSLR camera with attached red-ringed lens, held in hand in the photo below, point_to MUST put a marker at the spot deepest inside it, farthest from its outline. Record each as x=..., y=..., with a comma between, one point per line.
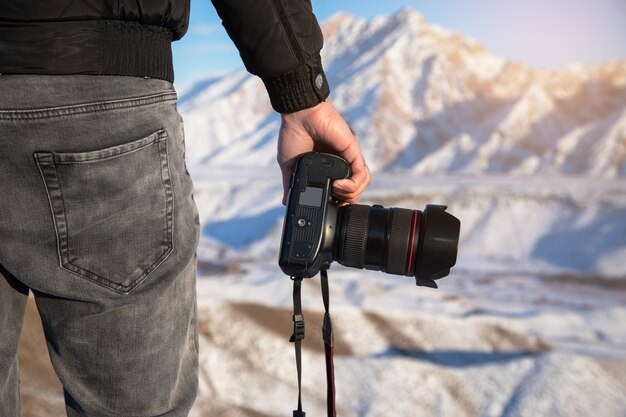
x=318, y=231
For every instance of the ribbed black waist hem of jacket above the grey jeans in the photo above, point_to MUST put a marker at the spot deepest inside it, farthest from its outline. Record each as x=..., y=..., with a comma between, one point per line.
x=102, y=47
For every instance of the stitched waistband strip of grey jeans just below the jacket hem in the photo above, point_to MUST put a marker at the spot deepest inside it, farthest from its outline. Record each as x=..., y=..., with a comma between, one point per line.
x=77, y=109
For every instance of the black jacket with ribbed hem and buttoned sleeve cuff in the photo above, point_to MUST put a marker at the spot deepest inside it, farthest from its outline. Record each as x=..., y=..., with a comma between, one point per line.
x=279, y=40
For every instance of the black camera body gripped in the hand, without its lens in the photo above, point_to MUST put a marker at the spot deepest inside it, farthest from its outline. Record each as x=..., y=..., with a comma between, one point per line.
x=311, y=215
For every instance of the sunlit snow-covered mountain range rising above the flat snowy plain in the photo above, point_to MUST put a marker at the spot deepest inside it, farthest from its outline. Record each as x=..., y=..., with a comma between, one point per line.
x=426, y=99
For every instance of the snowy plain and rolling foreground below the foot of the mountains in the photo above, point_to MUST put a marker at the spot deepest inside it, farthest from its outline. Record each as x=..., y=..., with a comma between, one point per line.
x=530, y=321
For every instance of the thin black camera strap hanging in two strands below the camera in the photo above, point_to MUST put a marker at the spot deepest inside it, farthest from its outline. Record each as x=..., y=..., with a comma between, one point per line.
x=329, y=343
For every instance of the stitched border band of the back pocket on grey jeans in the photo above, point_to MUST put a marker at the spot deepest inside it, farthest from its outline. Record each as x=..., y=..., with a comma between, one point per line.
x=47, y=163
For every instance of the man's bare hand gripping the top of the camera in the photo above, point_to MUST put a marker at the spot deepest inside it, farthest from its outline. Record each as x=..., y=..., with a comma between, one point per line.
x=322, y=129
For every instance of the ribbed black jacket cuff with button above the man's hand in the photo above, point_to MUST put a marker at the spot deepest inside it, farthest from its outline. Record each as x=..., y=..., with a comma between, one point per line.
x=299, y=89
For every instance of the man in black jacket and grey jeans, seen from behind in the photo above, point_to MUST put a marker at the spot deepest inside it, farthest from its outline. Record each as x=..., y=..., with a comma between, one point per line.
x=97, y=215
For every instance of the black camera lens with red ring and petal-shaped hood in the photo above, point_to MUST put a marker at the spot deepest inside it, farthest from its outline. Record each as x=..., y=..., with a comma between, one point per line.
x=398, y=241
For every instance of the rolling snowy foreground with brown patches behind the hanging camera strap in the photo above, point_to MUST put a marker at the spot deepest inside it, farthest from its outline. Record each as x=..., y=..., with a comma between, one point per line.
x=483, y=345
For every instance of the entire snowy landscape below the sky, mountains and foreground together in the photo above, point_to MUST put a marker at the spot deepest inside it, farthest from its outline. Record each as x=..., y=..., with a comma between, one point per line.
x=530, y=321
